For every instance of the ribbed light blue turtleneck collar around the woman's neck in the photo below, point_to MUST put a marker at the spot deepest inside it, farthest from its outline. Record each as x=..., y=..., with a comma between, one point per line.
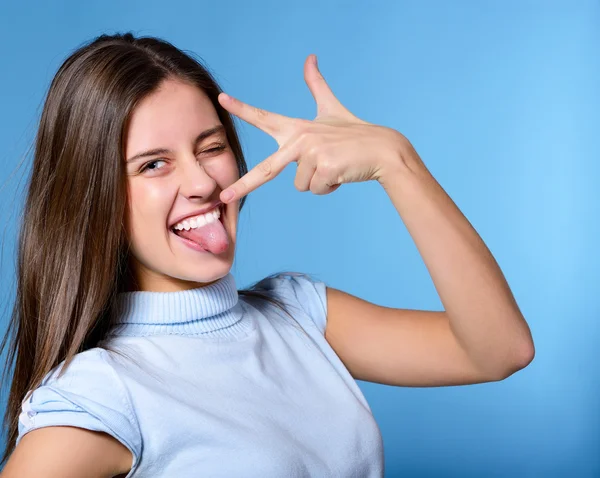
x=214, y=309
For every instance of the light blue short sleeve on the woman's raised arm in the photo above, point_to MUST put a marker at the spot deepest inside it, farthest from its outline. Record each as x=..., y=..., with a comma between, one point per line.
x=308, y=292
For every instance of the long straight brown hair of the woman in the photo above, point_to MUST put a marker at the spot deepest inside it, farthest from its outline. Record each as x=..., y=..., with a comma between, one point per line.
x=72, y=252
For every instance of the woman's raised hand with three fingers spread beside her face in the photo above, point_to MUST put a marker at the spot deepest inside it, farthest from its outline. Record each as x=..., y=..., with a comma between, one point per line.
x=334, y=148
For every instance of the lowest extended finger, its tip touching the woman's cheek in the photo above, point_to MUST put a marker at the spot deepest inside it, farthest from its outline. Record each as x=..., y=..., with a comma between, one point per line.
x=261, y=173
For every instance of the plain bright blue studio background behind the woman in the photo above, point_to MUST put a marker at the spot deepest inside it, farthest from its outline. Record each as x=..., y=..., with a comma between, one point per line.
x=501, y=100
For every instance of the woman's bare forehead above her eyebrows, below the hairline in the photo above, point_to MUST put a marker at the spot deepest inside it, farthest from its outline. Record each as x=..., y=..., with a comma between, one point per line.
x=171, y=116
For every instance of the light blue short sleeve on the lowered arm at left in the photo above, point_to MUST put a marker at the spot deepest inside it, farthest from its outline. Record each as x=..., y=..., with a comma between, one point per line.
x=89, y=395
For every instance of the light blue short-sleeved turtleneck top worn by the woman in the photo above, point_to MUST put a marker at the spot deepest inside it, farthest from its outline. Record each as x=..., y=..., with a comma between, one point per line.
x=220, y=385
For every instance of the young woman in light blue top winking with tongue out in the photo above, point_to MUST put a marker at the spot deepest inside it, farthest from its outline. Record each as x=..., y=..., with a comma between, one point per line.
x=134, y=352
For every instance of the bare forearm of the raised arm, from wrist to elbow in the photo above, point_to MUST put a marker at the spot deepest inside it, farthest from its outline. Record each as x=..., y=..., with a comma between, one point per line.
x=483, y=313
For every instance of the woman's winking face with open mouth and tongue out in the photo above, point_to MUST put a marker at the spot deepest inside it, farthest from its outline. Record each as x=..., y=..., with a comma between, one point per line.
x=183, y=180
